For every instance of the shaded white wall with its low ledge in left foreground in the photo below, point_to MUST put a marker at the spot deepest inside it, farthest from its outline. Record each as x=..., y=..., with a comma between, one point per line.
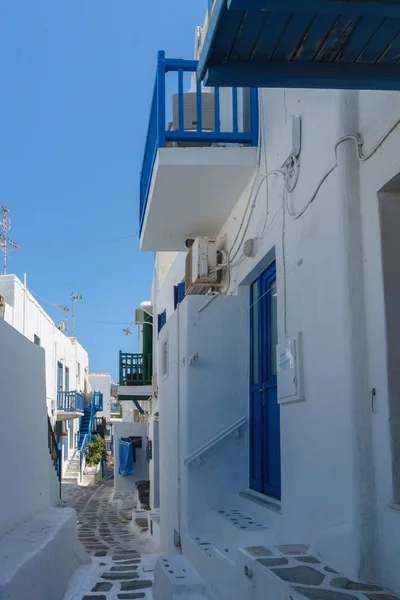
x=39, y=548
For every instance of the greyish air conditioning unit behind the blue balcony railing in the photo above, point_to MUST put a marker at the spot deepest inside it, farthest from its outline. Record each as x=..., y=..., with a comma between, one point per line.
x=190, y=112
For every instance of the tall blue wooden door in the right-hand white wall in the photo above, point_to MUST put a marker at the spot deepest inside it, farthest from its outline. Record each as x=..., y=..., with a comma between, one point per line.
x=265, y=454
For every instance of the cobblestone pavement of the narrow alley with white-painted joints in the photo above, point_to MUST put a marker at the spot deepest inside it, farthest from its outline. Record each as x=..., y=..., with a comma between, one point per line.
x=122, y=558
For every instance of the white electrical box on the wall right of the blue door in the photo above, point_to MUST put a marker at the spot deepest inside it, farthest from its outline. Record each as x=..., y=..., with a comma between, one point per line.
x=290, y=380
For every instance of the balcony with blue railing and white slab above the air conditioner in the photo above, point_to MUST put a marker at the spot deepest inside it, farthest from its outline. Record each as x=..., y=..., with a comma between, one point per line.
x=200, y=147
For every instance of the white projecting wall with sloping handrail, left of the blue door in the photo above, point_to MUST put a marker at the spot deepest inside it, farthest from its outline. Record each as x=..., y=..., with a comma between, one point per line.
x=211, y=396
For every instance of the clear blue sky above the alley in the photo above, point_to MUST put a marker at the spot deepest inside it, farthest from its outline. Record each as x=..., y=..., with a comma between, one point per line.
x=76, y=84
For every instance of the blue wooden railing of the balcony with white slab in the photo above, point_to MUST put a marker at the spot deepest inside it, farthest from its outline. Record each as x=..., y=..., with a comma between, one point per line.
x=160, y=136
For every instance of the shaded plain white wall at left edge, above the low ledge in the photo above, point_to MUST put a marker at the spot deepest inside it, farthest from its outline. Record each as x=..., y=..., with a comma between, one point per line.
x=28, y=481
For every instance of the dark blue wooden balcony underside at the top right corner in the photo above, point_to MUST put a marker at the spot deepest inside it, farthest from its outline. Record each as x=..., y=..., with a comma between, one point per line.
x=326, y=44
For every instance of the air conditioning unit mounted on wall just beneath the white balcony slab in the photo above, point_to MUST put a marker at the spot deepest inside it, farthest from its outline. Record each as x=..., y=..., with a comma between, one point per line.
x=201, y=271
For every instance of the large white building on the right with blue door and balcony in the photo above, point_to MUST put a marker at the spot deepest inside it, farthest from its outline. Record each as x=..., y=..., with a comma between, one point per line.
x=277, y=382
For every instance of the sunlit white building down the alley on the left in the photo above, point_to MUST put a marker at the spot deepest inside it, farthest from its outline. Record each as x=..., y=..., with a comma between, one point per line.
x=66, y=360
